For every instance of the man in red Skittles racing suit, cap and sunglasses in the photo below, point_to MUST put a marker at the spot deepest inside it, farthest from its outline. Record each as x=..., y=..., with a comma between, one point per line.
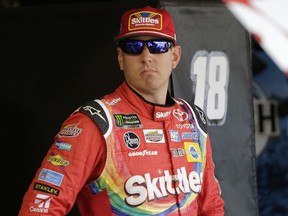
x=136, y=151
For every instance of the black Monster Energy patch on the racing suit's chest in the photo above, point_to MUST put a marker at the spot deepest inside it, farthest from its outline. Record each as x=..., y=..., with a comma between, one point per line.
x=127, y=120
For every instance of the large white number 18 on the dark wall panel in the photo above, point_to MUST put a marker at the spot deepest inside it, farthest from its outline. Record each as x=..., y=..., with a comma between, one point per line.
x=210, y=76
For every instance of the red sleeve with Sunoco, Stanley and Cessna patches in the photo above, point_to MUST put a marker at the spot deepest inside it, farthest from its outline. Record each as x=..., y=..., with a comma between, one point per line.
x=78, y=150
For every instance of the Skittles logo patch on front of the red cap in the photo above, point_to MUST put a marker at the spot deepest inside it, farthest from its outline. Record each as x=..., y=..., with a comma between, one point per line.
x=145, y=19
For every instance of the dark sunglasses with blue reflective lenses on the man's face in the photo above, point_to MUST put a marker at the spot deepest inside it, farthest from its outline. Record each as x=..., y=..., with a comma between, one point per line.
x=136, y=47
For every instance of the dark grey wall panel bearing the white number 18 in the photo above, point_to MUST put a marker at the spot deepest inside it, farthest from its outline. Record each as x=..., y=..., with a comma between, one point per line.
x=215, y=73
